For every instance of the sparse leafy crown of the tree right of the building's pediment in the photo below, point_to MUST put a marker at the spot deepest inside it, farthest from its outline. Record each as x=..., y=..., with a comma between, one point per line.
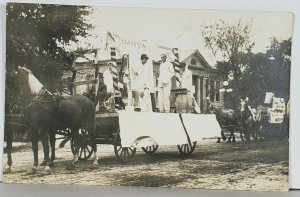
x=229, y=42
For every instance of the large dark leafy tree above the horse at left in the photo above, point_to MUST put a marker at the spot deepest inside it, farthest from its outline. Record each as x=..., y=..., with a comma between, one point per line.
x=36, y=35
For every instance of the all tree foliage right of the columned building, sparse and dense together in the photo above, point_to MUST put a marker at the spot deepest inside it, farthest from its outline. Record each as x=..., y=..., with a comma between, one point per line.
x=253, y=74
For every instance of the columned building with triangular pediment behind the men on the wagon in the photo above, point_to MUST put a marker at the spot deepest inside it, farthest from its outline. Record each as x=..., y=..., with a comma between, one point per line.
x=206, y=79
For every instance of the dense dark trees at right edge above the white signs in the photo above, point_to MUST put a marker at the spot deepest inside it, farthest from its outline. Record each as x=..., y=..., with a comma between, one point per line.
x=268, y=72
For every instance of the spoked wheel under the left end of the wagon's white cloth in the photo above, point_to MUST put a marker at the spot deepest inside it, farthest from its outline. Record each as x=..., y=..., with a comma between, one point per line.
x=124, y=154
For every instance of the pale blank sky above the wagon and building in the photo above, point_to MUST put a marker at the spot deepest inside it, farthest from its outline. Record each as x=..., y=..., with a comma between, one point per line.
x=181, y=28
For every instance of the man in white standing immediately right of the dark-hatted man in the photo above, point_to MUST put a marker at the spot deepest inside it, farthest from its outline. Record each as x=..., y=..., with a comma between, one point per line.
x=166, y=72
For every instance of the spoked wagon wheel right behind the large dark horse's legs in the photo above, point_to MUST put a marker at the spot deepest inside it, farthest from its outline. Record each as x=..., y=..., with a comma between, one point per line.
x=85, y=149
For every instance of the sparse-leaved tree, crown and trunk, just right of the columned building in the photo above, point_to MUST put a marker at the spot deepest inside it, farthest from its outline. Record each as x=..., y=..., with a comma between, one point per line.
x=231, y=43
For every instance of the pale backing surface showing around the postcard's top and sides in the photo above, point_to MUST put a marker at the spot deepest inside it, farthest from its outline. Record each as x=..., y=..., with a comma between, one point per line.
x=259, y=5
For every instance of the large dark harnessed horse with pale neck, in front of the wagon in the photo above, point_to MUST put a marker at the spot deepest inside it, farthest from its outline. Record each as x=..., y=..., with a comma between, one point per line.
x=46, y=113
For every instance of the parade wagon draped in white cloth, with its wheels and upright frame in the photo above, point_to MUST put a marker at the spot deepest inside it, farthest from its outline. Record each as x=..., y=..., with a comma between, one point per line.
x=128, y=130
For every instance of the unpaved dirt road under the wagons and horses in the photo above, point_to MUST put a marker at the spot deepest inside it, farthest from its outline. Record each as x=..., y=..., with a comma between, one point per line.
x=237, y=166
